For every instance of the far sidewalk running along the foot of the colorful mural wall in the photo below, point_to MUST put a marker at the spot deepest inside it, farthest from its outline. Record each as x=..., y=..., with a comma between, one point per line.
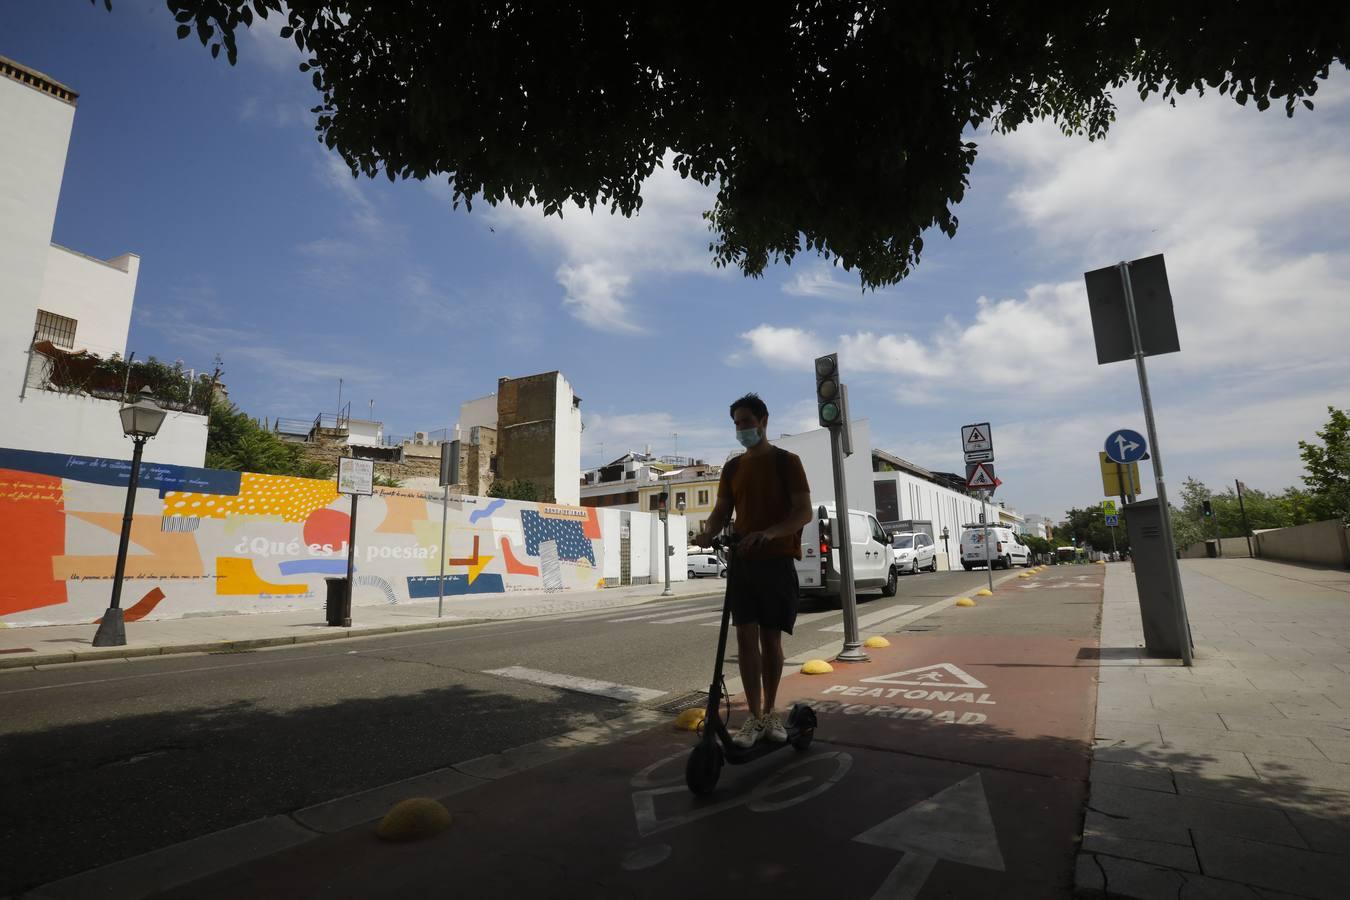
x=60, y=644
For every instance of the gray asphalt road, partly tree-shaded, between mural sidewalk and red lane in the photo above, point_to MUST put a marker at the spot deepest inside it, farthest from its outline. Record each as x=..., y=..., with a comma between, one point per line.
x=102, y=762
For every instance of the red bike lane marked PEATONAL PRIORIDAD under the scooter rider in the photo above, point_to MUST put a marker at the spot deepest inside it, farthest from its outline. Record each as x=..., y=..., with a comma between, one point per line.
x=950, y=766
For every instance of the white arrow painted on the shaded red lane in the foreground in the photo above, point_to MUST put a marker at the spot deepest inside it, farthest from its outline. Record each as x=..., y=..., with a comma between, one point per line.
x=952, y=825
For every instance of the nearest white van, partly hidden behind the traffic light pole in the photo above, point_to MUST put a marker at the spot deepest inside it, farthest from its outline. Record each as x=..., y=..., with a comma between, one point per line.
x=874, y=561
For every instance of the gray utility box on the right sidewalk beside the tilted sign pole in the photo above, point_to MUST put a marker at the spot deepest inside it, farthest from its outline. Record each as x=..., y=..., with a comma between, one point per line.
x=1164, y=619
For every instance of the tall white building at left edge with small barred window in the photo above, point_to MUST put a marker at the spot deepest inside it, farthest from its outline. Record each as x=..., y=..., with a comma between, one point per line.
x=49, y=293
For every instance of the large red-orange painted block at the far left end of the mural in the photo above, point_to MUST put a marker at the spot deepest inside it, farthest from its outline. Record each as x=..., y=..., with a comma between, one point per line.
x=33, y=527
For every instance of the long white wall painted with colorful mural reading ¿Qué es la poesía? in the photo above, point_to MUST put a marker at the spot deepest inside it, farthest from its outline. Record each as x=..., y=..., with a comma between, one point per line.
x=215, y=542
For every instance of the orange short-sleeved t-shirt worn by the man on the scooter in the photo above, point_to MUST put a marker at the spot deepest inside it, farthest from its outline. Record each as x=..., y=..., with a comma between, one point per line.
x=762, y=492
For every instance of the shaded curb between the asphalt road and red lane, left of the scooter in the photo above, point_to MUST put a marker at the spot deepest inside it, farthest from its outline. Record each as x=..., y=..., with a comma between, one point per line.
x=179, y=864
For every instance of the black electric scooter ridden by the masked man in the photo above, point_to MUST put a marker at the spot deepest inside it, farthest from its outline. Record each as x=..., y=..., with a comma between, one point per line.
x=715, y=743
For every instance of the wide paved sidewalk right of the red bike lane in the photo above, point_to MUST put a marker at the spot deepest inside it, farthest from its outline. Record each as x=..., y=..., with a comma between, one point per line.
x=1231, y=779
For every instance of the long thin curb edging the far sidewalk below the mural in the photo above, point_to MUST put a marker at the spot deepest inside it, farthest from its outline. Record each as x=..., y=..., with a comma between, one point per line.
x=288, y=640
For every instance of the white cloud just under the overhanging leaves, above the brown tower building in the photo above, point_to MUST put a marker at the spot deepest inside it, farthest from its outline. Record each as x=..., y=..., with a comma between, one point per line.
x=605, y=256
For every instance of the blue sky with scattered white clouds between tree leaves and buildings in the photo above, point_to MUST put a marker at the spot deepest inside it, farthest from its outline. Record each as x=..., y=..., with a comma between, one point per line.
x=257, y=245
